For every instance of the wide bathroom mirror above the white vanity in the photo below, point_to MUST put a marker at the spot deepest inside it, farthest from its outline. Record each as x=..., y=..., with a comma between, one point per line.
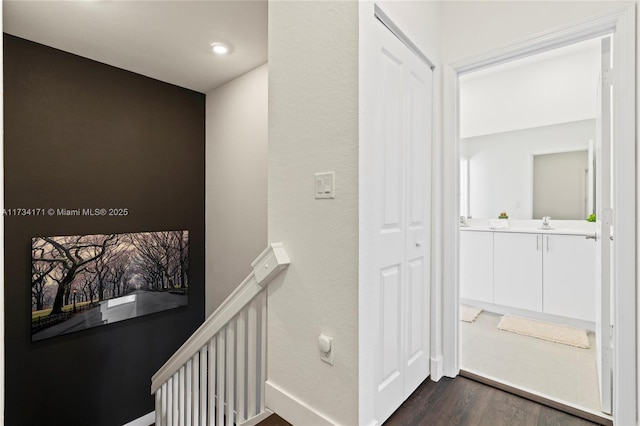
x=531, y=173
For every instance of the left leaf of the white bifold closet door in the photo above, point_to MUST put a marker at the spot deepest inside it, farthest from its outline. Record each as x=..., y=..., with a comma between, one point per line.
x=391, y=234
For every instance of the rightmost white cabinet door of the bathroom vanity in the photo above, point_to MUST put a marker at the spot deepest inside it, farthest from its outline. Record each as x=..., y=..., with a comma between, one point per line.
x=569, y=276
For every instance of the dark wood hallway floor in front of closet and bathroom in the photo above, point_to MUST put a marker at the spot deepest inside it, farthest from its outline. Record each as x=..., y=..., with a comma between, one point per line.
x=464, y=402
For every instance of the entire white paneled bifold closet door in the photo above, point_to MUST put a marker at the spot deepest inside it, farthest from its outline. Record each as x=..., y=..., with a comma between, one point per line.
x=402, y=219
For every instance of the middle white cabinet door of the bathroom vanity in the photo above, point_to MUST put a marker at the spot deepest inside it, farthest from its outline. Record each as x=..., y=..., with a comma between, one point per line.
x=517, y=270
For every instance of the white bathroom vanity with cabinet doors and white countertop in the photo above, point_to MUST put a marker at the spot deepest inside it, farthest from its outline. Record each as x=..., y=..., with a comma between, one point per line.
x=523, y=269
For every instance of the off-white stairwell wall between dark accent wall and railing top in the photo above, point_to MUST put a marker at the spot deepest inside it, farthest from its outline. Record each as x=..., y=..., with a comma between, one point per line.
x=236, y=182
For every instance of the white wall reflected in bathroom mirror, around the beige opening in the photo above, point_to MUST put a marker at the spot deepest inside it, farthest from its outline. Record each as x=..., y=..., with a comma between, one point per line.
x=500, y=168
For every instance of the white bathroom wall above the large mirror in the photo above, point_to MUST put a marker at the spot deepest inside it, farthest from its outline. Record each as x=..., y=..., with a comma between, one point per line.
x=555, y=88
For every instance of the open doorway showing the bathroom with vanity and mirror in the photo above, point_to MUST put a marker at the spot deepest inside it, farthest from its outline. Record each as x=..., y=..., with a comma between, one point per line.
x=527, y=246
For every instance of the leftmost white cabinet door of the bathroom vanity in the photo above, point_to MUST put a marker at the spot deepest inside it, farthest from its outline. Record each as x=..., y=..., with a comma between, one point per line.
x=476, y=265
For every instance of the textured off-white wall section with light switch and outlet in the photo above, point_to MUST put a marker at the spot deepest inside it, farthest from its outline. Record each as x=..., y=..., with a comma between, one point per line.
x=313, y=127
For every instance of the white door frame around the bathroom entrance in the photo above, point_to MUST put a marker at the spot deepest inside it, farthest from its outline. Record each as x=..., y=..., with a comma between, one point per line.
x=623, y=22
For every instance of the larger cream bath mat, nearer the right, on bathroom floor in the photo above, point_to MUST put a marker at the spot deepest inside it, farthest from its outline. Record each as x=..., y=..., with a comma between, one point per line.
x=545, y=330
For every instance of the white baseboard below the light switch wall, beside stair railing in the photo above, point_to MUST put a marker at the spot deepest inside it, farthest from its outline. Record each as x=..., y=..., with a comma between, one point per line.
x=292, y=409
